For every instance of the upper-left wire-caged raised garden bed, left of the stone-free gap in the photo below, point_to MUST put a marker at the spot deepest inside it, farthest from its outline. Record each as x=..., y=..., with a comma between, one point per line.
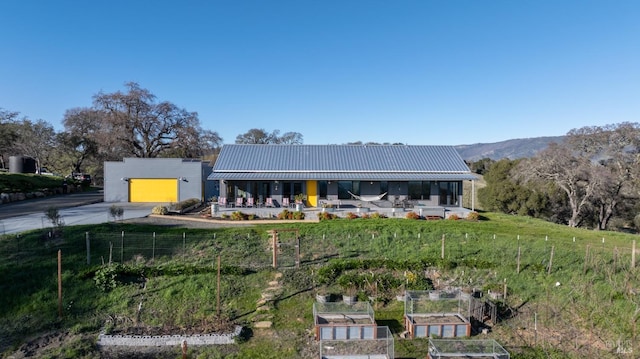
x=338, y=320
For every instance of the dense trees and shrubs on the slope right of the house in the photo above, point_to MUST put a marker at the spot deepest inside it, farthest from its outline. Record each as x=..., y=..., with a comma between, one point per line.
x=590, y=180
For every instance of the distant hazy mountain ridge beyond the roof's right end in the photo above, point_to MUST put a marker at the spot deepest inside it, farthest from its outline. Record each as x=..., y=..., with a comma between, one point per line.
x=511, y=149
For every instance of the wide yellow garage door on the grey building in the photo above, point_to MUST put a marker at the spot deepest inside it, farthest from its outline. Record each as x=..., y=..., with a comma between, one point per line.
x=153, y=190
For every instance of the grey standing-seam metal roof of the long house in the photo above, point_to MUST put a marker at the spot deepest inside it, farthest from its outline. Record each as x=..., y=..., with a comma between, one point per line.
x=334, y=162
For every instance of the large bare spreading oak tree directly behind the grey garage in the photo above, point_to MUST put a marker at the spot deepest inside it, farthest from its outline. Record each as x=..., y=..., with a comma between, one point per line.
x=141, y=127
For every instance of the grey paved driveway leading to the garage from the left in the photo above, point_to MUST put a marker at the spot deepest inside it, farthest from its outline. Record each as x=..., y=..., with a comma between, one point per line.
x=75, y=209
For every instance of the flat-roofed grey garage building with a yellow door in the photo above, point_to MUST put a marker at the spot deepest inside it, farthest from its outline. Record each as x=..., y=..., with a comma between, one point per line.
x=161, y=180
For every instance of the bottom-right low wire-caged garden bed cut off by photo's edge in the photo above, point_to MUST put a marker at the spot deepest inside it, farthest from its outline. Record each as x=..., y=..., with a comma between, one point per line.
x=461, y=348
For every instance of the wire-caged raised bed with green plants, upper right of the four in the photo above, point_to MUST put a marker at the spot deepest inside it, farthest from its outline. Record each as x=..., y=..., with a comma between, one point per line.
x=437, y=313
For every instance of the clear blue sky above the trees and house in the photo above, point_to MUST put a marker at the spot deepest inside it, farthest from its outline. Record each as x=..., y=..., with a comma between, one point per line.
x=421, y=72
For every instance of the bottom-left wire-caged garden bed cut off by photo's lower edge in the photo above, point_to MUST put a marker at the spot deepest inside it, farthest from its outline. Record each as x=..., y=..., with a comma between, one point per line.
x=379, y=347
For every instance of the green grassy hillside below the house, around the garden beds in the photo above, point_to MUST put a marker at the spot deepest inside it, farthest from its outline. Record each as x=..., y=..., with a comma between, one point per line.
x=593, y=308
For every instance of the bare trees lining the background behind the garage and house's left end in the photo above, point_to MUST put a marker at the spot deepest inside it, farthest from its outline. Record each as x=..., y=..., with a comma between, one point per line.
x=130, y=123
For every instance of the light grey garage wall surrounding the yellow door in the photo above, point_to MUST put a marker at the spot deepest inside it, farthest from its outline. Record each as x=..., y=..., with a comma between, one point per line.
x=116, y=186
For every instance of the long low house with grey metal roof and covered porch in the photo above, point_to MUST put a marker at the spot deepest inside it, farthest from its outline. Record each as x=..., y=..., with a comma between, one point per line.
x=384, y=175
